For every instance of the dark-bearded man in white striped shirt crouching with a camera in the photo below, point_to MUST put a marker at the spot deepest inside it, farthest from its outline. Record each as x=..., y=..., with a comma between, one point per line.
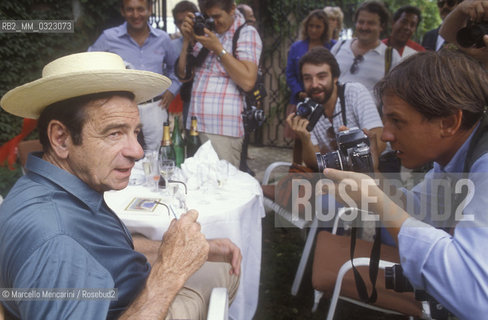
x=320, y=73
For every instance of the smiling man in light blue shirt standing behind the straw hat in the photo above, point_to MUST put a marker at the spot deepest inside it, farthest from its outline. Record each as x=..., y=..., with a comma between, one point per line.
x=144, y=48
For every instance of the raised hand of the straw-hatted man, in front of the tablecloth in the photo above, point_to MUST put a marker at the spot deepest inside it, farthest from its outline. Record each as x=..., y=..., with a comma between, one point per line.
x=184, y=248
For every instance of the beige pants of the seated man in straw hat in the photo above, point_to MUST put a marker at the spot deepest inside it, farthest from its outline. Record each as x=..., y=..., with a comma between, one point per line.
x=192, y=300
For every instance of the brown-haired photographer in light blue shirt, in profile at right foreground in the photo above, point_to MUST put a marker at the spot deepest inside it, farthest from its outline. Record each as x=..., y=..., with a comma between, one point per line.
x=439, y=117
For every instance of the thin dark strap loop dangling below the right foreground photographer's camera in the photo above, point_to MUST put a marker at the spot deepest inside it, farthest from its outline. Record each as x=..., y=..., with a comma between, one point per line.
x=373, y=267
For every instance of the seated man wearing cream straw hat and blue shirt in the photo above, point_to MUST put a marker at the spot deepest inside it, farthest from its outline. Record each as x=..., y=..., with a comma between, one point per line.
x=57, y=232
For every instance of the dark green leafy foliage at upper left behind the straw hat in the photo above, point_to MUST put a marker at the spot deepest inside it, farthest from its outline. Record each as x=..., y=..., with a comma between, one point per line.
x=23, y=55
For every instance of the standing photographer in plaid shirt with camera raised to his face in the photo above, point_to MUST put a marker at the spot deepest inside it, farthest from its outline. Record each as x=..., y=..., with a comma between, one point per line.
x=219, y=76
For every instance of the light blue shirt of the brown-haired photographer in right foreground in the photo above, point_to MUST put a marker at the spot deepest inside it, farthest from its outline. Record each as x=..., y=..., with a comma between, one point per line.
x=452, y=269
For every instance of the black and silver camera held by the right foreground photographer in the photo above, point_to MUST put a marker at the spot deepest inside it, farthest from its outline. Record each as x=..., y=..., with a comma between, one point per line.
x=353, y=153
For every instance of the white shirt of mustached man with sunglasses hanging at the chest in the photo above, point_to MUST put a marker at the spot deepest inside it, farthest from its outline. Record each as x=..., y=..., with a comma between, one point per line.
x=370, y=70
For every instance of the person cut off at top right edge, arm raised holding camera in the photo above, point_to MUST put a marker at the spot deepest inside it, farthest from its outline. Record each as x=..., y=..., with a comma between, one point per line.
x=468, y=11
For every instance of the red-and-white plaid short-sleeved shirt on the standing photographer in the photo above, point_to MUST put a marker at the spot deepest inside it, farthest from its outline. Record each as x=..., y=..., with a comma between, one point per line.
x=216, y=100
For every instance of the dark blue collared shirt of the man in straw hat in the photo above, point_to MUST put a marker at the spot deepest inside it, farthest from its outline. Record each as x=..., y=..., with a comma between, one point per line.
x=56, y=232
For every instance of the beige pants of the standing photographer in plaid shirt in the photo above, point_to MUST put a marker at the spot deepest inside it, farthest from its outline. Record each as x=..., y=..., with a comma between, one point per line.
x=227, y=148
